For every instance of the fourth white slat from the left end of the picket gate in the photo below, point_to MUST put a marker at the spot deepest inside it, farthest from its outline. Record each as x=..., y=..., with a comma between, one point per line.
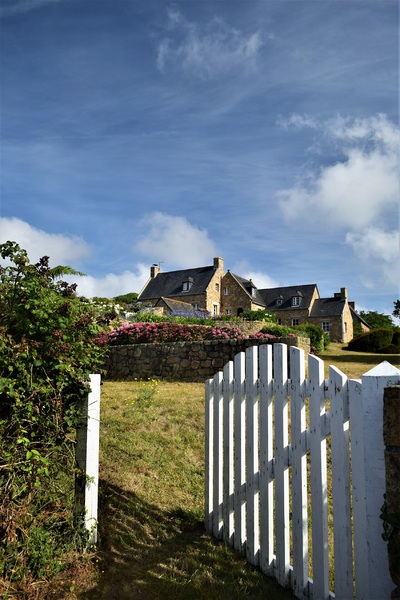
x=239, y=453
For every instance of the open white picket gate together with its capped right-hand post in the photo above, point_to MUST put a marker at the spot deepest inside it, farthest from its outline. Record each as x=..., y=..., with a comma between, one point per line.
x=295, y=470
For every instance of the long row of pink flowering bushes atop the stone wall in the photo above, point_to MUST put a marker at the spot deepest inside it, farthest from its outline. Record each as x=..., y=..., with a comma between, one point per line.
x=158, y=333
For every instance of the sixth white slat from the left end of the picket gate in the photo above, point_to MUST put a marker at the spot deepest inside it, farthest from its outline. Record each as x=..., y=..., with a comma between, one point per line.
x=266, y=462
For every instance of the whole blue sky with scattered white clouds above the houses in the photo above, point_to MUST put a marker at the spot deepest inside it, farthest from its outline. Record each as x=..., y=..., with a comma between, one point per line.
x=141, y=131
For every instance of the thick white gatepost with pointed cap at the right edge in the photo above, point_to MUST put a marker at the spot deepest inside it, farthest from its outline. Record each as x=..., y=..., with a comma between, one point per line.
x=372, y=566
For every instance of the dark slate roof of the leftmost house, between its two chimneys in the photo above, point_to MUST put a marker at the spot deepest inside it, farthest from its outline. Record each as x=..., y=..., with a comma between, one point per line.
x=170, y=284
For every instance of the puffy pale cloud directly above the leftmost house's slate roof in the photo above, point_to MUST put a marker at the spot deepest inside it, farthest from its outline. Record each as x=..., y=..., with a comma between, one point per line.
x=173, y=240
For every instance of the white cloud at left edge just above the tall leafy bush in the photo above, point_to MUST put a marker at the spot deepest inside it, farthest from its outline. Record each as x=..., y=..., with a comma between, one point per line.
x=62, y=249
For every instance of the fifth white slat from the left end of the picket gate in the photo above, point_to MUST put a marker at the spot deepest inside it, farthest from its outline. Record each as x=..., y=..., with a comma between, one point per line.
x=252, y=490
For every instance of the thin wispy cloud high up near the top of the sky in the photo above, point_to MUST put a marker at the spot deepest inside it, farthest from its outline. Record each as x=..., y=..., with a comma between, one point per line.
x=207, y=53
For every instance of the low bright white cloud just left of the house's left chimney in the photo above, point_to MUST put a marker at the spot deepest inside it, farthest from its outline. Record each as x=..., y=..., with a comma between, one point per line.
x=112, y=285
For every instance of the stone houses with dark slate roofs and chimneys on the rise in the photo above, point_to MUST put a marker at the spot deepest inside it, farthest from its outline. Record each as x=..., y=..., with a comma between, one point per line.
x=220, y=293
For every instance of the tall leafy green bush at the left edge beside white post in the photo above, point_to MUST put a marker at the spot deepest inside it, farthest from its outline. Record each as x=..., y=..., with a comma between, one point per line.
x=46, y=355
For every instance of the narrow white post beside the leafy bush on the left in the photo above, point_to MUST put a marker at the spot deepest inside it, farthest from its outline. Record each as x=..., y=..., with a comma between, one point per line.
x=87, y=457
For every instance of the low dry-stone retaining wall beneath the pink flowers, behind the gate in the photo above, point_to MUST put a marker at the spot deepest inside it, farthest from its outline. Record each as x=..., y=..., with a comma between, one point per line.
x=180, y=361
